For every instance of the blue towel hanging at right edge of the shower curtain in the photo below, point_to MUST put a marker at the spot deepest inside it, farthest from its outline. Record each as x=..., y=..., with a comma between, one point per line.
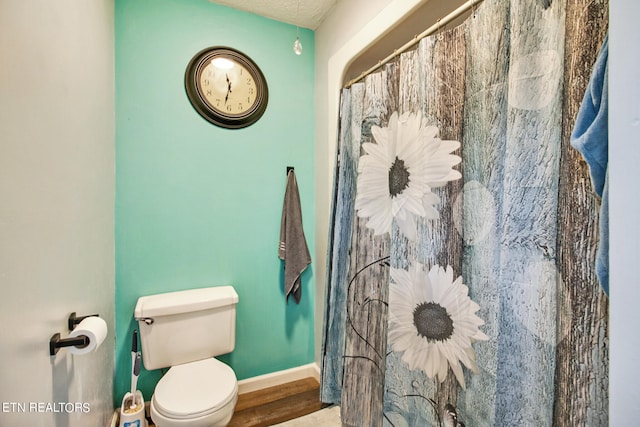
x=591, y=138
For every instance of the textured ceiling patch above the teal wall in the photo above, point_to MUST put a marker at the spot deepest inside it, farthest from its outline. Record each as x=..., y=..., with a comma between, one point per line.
x=303, y=13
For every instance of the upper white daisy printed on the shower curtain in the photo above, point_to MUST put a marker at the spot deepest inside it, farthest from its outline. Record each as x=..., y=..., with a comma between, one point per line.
x=397, y=173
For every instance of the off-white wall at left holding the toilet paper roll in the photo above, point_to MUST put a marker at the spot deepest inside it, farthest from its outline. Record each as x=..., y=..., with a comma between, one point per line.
x=56, y=206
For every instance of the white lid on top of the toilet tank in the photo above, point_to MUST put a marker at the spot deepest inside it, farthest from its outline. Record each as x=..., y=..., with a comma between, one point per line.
x=185, y=301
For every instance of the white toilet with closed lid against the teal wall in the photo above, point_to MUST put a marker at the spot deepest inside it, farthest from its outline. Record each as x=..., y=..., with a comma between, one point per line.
x=183, y=331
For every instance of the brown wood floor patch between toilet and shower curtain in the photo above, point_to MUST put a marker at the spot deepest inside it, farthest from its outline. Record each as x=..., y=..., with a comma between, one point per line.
x=277, y=404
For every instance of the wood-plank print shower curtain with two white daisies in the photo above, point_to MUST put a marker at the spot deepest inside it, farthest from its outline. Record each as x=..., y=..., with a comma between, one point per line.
x=461, y=281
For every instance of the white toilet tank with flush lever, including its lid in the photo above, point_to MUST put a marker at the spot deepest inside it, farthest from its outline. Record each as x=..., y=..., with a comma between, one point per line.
x=185, y=326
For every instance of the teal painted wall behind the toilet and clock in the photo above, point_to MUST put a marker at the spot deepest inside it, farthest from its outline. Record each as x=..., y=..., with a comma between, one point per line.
x=197, y=205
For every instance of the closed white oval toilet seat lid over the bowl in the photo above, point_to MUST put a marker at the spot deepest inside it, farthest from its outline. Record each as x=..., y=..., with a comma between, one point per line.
x=195, y=389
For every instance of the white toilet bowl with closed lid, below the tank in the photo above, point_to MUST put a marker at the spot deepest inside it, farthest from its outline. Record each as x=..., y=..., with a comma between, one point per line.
x=195, y=394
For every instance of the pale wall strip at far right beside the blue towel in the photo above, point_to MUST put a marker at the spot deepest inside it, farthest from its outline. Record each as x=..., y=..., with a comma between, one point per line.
x=624, y=206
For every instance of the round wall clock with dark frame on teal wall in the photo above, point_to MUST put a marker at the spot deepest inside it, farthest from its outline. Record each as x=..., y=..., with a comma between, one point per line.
x=226, y=87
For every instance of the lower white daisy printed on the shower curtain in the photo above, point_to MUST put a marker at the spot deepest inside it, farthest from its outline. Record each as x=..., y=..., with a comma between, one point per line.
x=432, y=321
